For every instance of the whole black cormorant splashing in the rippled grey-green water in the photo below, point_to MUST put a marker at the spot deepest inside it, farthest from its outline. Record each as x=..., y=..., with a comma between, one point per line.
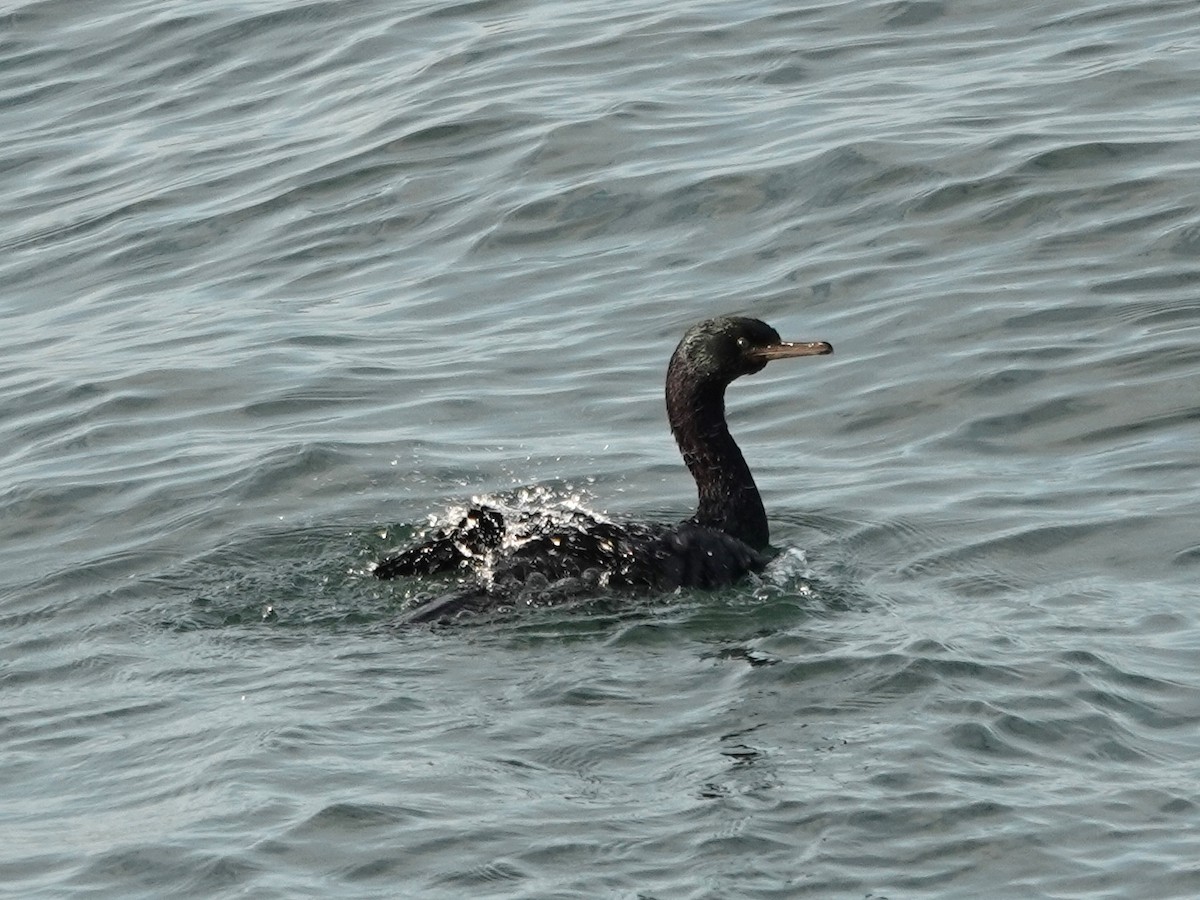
x=725, y=539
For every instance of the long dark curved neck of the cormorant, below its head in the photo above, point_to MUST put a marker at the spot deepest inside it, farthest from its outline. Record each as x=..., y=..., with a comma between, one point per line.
x=729, y=497
